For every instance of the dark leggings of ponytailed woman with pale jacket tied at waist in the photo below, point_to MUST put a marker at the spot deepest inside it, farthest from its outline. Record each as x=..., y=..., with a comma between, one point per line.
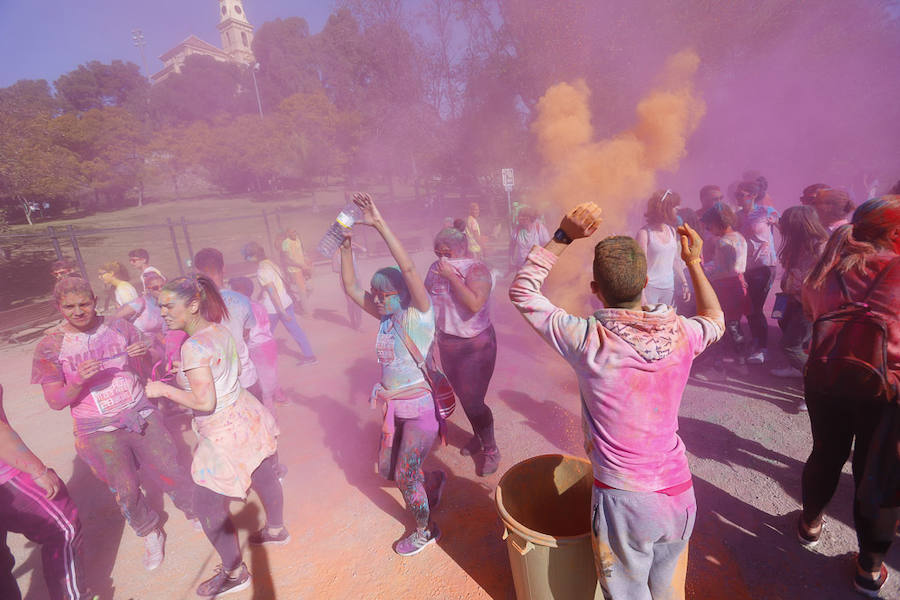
x=212, y=510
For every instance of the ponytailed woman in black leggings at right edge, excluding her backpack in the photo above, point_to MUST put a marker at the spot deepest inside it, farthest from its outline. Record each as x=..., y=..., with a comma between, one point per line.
x=857, y=253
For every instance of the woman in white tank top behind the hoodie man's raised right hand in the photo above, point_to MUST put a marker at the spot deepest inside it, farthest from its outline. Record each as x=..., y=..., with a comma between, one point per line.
x=659, y=242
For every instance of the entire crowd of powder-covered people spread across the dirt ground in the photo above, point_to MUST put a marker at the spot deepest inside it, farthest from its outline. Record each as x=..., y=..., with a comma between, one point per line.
x=194, y=346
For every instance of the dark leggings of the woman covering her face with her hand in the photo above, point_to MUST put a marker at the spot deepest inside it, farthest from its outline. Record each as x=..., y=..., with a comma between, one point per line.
x=469, y=365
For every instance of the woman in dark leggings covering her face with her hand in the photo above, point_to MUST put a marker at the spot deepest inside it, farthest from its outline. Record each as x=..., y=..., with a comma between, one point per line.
x=460, y=288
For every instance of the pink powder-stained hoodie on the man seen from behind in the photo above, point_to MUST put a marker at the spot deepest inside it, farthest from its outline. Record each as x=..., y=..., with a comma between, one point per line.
x=632, y=368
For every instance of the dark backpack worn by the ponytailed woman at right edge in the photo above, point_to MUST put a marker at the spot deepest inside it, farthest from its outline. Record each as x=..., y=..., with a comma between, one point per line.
x=848, y=351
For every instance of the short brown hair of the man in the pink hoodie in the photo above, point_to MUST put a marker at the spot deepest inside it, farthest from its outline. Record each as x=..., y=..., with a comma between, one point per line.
x=620, y=269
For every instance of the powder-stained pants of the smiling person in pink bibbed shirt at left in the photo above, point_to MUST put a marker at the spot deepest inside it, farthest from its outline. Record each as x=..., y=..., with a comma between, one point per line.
x=114, y=456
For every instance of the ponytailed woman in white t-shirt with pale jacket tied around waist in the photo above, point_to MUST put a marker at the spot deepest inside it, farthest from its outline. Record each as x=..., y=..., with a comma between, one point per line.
x=236, y=434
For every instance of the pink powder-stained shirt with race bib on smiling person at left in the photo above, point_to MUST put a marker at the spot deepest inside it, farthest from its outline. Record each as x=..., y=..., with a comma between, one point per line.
x=115, y=389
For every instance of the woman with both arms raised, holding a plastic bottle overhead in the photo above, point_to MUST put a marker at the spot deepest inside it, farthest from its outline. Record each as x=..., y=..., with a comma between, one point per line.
x=399, y=301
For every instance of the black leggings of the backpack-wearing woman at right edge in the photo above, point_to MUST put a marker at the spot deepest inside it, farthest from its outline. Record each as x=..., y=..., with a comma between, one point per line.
x=836, y=422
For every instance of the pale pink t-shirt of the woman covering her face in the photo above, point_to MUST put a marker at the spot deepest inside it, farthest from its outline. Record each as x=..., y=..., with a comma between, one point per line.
x=450, y=315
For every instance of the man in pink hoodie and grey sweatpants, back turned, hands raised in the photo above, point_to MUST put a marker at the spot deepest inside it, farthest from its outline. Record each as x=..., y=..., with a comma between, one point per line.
x=632, y=363
